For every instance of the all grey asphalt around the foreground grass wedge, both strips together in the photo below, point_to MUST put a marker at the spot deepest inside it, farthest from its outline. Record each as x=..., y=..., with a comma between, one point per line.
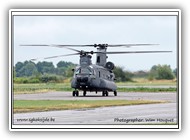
x=136, y=114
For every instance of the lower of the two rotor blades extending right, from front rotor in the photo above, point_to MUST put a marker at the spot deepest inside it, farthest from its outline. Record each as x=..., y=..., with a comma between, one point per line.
x=136, y=52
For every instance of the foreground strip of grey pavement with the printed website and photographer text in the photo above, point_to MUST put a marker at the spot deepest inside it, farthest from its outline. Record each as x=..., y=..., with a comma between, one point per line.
x=137, y=114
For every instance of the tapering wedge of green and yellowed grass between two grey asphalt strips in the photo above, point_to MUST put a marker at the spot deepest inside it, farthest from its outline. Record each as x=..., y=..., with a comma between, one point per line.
x=22, y=106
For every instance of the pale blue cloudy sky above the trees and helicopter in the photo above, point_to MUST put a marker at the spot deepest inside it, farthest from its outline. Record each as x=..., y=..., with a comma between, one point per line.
x=78, y=30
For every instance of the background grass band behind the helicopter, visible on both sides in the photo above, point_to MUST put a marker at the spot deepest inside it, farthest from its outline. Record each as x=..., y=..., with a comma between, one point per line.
x=139, y=83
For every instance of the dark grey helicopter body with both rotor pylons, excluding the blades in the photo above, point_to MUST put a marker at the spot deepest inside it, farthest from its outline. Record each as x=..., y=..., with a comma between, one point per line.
x=94, y=77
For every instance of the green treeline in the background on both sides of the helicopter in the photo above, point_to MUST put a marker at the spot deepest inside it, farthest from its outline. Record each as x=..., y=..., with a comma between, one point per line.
x=43, y=72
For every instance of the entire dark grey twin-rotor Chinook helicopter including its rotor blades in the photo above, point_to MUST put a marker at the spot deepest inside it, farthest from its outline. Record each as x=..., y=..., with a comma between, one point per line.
x=97, y=77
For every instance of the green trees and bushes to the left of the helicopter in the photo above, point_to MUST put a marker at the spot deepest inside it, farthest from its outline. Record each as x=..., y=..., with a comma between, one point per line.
x=42, y=72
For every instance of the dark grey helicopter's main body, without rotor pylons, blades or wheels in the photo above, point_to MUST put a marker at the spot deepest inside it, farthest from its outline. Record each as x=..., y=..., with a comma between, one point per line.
x=93, y=78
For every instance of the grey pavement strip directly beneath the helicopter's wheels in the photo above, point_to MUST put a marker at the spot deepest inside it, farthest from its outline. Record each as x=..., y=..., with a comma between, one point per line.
x=163, y=96
